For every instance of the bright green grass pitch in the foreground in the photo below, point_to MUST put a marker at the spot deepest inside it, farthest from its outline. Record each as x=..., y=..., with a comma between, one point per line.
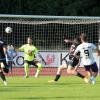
x=67, y=88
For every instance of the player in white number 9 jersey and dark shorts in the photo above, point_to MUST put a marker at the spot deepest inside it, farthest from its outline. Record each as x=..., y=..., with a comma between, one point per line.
x=86, y=52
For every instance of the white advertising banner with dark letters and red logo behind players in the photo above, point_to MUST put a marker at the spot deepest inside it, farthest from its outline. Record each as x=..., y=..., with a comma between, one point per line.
x=52, y=59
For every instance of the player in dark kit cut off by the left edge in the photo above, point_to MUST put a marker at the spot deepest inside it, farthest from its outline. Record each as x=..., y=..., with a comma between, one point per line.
x=3, y=60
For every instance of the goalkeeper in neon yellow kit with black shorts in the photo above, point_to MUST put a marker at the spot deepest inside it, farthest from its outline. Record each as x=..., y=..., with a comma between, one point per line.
x=29, y=57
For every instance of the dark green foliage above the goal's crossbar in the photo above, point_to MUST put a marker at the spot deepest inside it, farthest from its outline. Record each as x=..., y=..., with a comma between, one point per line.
x=51, y=7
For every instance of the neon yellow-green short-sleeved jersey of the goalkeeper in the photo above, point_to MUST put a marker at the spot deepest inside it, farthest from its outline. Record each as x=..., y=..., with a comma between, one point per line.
x=26, y=49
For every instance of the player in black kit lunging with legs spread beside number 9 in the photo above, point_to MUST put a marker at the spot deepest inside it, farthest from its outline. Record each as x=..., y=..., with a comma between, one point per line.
x=72, y=64
